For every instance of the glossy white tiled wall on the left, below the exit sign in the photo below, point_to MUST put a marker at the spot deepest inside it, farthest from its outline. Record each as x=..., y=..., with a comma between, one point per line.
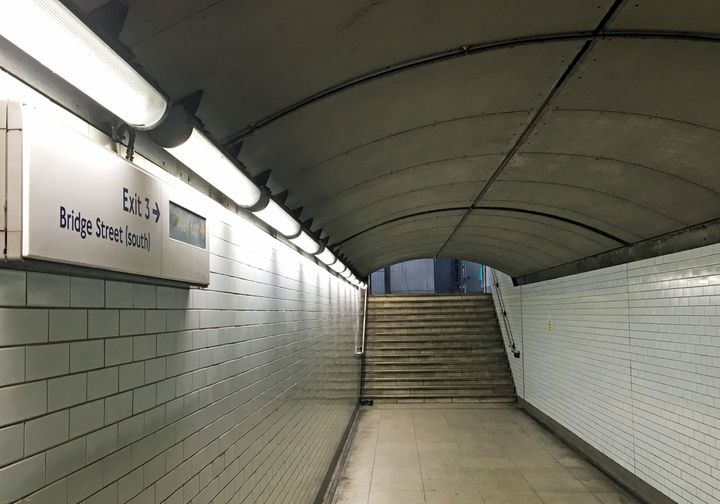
x=114, y=392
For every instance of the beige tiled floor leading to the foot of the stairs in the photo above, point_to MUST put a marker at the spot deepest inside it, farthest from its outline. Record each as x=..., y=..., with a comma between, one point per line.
x=466, y=455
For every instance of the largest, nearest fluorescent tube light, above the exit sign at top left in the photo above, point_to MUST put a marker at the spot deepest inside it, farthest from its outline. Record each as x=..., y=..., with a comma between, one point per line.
x=50, y=33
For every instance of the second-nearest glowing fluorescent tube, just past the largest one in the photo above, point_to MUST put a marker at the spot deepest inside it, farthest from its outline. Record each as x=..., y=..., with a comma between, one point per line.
x=201, y=156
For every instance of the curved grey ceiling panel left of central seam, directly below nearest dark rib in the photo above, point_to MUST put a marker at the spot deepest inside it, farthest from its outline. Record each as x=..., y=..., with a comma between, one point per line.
x=497, y=81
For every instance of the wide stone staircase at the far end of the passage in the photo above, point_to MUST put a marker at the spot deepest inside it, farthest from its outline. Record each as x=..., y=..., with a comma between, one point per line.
x=435, y=348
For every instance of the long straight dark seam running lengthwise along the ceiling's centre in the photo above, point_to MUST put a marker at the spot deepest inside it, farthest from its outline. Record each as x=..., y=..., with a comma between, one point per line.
x=537, y=116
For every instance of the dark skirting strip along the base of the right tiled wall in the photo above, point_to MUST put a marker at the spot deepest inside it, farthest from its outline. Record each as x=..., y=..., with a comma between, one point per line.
x=639, y=488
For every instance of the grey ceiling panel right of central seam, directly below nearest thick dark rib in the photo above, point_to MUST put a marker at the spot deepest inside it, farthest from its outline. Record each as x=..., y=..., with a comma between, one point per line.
x=671, y=79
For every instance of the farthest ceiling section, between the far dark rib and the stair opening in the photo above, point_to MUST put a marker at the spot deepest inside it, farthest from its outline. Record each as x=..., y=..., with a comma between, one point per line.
x=514, y=242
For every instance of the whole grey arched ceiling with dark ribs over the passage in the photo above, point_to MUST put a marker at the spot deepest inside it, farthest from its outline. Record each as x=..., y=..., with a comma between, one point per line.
x=525, y=134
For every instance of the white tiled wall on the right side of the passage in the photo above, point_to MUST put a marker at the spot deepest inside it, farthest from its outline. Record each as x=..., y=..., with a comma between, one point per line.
x=631, y=364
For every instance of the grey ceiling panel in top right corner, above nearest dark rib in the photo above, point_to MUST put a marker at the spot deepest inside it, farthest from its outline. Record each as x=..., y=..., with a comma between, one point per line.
x=695, y=16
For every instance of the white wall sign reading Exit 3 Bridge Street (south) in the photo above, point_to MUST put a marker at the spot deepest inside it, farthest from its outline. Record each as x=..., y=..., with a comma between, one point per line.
x=83, y=204
